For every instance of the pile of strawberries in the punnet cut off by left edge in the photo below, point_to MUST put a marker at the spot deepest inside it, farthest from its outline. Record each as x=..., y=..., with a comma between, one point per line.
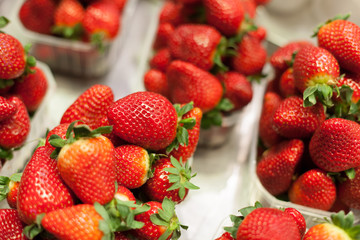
x=22, y=89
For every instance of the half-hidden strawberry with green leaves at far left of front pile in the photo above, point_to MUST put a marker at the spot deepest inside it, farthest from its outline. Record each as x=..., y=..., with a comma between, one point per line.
x=9, y=188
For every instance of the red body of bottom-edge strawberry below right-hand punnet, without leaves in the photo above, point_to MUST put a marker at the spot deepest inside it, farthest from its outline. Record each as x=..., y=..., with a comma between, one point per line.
x=268, y=223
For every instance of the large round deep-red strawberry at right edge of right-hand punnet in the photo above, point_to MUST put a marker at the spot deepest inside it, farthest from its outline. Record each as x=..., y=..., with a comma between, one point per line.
x=335, y=145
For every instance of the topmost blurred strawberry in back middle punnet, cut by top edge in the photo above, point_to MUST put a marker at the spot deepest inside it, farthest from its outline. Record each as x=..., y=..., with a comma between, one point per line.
x=225, y=15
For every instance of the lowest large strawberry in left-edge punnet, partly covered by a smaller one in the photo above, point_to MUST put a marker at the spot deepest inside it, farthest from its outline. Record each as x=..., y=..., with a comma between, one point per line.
x=14, y=130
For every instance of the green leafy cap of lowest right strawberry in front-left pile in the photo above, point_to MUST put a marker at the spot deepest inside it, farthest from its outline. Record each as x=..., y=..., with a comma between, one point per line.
x=166, y=217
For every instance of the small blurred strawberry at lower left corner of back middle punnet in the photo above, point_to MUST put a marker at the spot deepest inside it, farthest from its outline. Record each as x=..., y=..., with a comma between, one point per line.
x=155, y=81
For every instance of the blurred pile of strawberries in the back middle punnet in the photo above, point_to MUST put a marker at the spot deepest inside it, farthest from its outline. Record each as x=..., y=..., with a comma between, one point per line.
x=206, y=52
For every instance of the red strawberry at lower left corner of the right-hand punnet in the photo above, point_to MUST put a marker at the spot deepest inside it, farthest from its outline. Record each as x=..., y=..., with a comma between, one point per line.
x=277, y=165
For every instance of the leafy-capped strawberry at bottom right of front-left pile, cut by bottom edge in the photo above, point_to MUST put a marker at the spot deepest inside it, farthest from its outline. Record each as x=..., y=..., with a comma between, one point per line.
x=159, y=221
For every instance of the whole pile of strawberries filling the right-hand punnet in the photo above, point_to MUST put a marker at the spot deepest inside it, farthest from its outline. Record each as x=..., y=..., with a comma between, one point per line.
x=309, y=127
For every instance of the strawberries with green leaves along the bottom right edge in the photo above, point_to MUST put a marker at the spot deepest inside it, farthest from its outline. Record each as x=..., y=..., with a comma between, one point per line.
x=258, y=222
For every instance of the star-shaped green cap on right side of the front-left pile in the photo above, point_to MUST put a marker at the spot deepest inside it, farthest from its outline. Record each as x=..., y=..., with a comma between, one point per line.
x=180, y=176
